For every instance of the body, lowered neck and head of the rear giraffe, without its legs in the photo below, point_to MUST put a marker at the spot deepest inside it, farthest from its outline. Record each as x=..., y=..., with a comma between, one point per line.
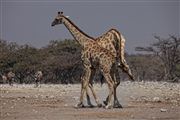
x=114, y=41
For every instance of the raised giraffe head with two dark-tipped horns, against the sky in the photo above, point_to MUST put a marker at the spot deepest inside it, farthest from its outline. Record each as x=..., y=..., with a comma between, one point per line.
x=58, y=19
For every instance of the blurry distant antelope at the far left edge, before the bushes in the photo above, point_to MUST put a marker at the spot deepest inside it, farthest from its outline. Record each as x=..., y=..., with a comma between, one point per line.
x=9, y=77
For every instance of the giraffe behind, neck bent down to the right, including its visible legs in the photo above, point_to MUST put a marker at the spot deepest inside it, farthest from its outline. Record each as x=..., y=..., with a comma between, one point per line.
x=114, y=41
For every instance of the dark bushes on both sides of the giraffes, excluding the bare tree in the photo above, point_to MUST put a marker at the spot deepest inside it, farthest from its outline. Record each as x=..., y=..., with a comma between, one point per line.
x=60, y=62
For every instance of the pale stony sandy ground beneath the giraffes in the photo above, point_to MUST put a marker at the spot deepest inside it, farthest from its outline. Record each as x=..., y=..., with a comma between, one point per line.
x=140, y=101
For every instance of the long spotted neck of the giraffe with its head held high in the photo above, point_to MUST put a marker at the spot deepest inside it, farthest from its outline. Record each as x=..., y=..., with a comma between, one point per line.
x=78, y=35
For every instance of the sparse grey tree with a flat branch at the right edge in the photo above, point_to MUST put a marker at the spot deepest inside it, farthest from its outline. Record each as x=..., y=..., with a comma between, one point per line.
x=168, y=51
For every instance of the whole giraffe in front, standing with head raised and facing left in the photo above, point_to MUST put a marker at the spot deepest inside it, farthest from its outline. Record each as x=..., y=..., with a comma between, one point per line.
x=93, y=57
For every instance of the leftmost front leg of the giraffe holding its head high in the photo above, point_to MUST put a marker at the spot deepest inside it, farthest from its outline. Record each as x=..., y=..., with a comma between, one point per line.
x=85, y=82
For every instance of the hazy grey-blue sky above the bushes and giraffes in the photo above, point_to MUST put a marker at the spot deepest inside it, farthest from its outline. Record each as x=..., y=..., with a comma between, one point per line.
x=29, y=21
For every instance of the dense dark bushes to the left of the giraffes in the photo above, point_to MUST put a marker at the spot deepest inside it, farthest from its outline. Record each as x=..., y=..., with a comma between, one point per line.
x=59, y=61
